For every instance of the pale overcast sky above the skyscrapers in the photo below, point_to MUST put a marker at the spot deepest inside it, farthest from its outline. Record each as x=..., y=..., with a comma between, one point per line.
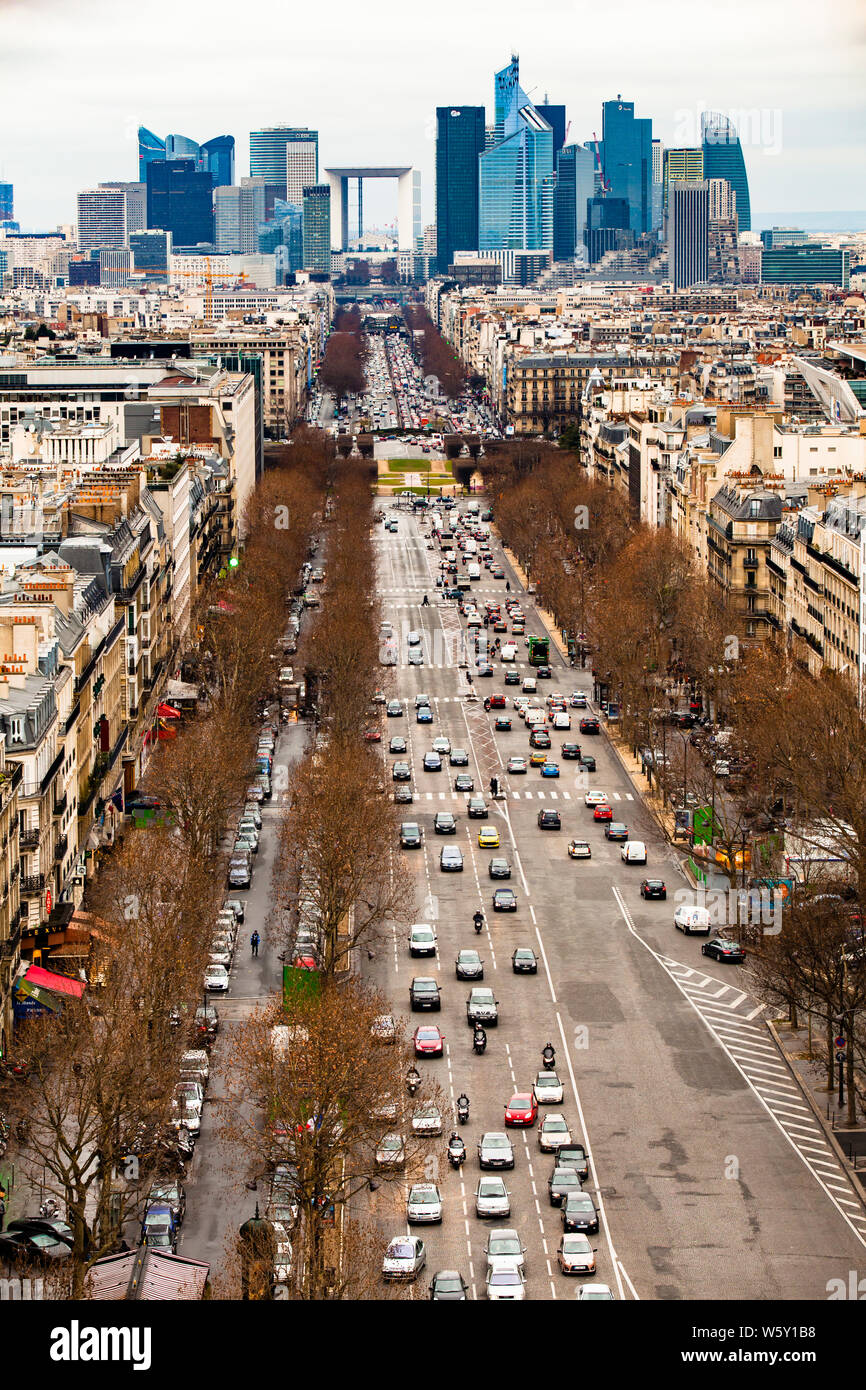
x=79, y=79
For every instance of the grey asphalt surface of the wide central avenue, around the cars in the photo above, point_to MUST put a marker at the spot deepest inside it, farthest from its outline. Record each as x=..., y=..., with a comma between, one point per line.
x=711, y=1175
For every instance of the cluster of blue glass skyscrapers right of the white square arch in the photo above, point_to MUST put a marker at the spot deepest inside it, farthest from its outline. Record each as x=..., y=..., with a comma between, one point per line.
x=516, y=188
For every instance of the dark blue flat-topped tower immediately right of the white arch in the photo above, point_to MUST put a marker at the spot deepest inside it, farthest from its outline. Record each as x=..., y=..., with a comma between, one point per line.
x=461, y=140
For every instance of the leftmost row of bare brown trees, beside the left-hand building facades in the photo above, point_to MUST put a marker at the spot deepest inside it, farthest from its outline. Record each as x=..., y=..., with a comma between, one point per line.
x=101, y=1071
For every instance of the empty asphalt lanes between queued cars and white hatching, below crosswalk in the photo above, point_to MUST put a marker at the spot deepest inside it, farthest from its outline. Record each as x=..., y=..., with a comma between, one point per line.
x=708, y=1199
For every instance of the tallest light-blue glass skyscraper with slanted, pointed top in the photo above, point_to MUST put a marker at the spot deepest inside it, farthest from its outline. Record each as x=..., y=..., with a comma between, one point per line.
x=516, y=177
